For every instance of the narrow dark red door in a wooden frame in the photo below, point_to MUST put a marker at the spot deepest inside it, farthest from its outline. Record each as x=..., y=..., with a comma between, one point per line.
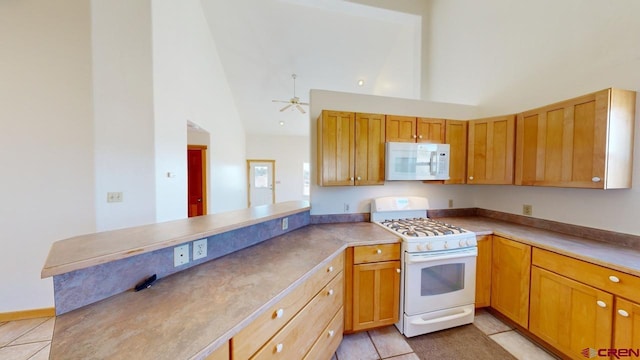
x=197, y=180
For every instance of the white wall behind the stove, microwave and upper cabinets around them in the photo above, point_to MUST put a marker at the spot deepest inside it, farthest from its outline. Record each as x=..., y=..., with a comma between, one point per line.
x=331, y=200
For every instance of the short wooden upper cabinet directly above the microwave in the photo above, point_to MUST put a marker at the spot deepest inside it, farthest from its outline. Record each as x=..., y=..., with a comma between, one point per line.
x=412, y=129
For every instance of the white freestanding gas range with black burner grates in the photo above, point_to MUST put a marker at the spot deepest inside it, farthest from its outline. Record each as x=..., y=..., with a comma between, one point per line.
x=437, y=289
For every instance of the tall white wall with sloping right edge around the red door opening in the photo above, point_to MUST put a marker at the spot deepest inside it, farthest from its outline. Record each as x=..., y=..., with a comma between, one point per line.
x=190, y=84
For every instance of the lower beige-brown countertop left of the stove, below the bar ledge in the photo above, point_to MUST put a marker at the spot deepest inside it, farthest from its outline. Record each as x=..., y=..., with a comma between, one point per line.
x=191, y=313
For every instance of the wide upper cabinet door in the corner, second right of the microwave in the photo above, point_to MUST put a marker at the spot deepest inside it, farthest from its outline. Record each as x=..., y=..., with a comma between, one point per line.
x=491, y=150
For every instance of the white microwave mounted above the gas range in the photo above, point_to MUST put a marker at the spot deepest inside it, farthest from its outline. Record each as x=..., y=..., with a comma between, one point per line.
x=417, y=161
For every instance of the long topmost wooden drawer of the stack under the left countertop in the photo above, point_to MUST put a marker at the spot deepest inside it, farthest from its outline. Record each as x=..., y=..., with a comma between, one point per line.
x=252, y=337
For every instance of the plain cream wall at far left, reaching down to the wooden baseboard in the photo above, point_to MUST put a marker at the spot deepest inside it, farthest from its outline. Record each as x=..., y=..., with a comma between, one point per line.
x=46, y=141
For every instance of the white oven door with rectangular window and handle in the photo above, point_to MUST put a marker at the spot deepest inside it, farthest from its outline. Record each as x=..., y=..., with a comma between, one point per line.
x=439, y=280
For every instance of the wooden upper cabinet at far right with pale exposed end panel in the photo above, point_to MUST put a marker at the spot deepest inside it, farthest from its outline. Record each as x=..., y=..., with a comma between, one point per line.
x=586, y=142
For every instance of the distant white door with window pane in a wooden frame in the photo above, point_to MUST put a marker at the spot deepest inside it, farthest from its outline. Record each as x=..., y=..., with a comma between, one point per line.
x=261, y=174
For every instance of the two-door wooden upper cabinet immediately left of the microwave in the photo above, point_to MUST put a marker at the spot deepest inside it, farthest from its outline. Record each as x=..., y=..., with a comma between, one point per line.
x=350, y=148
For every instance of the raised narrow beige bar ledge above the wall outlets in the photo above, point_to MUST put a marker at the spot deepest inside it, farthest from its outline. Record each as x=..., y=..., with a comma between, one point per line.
x=93, y=249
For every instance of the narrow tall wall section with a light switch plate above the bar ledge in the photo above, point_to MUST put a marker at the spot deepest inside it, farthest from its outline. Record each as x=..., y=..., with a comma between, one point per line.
x=123, y=112
